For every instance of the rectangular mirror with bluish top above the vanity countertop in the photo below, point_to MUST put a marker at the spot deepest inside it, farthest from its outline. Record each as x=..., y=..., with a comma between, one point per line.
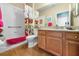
x=63, y=18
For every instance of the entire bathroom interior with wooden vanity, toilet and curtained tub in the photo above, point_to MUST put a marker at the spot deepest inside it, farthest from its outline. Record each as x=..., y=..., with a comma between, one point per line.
x=27, y=29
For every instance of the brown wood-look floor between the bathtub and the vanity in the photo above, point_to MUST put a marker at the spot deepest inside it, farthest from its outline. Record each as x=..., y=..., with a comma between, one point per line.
x=24, y=51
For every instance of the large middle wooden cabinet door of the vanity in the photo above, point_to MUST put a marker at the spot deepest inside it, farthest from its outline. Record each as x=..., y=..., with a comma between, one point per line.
x=54, y=45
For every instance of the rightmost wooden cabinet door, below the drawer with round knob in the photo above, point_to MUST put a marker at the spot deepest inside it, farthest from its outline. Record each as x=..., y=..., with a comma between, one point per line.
x=72, y=48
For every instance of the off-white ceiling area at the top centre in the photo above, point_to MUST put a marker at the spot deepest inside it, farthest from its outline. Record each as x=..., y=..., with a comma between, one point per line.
x=41, y=6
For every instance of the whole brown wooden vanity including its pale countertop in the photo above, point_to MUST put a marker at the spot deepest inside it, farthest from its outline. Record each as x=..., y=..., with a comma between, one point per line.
x=60, y=42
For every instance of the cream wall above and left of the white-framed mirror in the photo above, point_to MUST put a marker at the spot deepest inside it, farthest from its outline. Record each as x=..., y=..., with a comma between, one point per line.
x=53, y=10
